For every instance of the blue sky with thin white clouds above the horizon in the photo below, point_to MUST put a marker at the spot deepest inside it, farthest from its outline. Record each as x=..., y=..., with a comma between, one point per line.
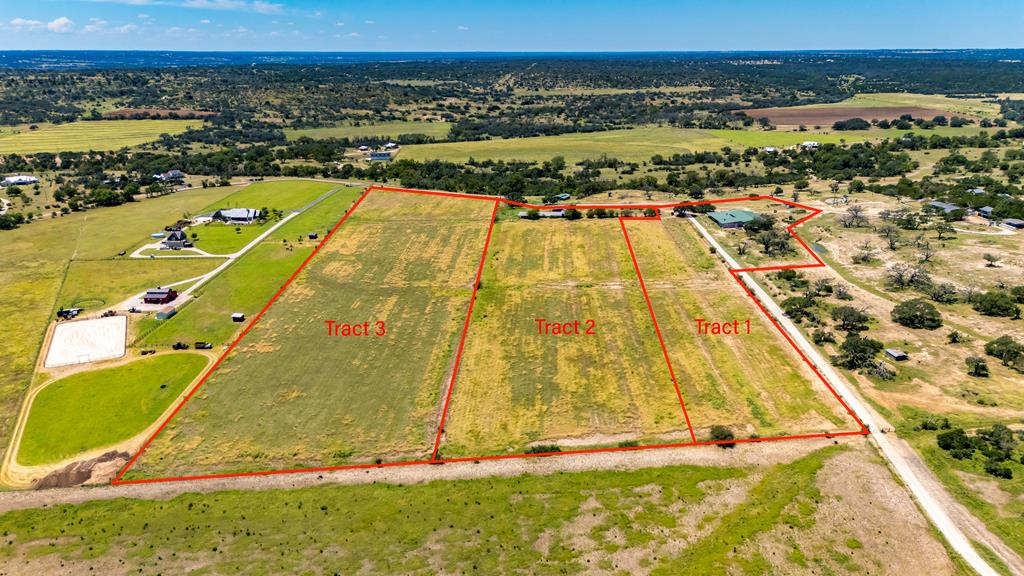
x=508, y=25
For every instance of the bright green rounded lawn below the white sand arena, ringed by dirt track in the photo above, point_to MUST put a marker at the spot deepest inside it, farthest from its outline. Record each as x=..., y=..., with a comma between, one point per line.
x=100, y=408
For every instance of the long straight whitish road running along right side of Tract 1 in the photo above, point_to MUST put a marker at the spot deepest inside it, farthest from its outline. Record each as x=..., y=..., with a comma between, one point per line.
x=905, y=462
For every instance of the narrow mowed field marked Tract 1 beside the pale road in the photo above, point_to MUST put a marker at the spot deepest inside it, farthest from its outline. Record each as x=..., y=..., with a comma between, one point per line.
x=756, y=383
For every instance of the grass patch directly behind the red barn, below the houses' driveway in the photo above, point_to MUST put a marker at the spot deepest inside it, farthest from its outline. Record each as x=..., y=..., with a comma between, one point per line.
x=95, y=284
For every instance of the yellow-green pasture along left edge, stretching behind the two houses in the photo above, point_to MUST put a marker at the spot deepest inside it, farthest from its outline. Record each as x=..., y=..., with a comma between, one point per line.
x=33, y=265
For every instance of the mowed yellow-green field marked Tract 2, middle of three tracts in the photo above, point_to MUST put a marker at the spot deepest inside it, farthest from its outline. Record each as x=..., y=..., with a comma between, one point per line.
x=517, y=387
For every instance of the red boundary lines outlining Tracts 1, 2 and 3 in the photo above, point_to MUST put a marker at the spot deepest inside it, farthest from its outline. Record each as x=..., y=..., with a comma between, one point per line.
x=498, y=201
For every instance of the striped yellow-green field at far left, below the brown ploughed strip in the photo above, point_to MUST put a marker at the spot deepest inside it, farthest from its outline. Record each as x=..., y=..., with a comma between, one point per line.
x=83, y=137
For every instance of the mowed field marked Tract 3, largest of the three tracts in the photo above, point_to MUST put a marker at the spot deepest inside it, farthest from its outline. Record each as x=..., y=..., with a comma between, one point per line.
x=291, y=396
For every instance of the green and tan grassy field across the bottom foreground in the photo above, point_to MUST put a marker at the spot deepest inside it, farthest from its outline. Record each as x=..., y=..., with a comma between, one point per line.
x=782, y=519
